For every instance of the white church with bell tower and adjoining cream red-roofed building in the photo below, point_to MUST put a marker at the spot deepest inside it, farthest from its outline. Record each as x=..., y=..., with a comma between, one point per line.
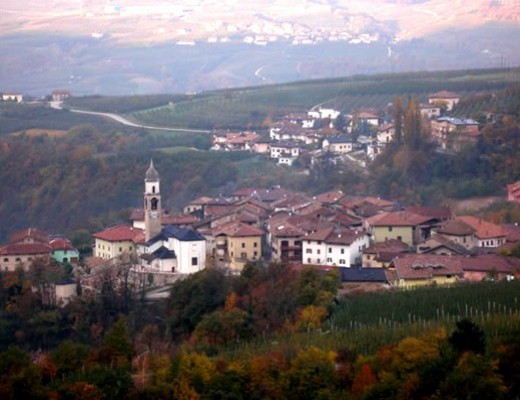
x=161, y=248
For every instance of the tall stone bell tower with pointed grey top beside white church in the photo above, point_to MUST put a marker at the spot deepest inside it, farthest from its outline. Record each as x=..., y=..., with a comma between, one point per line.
x=152, y=203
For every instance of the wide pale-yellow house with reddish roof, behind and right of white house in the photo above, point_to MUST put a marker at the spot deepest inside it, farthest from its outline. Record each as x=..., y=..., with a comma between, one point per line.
x=408, y=227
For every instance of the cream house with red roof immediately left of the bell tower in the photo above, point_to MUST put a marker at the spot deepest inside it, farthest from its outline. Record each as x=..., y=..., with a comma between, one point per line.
x=114, y=241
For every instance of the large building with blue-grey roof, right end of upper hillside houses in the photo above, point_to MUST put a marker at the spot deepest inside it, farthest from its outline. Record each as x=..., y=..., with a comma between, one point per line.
x=454, y=133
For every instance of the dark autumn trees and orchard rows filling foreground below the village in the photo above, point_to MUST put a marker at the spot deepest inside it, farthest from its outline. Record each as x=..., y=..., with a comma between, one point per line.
x=220, y=336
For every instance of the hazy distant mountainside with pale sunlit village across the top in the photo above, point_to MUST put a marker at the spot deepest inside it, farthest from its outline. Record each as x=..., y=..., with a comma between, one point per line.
x=125, y=46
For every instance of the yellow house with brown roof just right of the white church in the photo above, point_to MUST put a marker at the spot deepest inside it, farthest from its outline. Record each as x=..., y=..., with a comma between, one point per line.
x=238, y=243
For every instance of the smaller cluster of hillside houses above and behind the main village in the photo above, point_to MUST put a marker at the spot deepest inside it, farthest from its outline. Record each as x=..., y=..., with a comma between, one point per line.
x=367, y=131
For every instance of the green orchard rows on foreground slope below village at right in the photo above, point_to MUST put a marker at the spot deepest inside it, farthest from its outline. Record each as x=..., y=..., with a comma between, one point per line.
x=367, y=322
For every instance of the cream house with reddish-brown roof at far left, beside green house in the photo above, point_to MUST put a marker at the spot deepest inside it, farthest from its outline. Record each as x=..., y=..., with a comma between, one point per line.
x=22, y=255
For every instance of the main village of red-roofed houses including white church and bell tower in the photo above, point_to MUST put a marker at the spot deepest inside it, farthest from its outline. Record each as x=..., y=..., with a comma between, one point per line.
x=366, y=238
